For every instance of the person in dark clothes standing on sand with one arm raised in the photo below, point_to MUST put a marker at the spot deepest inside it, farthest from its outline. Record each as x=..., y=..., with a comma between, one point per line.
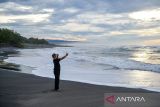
x=57, y=67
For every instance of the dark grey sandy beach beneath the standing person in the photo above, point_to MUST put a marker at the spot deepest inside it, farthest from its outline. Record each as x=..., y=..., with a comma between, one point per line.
x=26, y=90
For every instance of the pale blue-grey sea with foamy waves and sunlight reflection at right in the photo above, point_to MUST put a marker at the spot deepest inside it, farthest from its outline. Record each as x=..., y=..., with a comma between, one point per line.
x=124, y=66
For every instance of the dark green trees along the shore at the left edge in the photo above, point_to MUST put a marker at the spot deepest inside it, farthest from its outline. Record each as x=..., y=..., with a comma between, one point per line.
x=11, y=38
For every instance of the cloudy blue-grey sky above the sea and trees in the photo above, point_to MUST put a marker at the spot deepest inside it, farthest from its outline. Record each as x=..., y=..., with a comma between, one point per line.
x=118, y=22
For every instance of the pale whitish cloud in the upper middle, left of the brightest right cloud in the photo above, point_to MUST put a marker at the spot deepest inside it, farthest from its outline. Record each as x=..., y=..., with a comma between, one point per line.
x=100, y=18
